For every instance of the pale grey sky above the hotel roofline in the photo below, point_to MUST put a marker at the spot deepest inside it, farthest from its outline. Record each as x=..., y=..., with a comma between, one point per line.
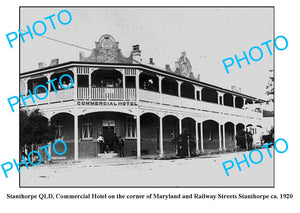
x=207, y=35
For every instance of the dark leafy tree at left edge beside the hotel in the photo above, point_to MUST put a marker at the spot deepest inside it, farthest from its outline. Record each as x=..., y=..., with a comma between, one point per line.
x=34, y=128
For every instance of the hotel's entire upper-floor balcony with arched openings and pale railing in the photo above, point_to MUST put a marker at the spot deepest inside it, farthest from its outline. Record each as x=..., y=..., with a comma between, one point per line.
x=110, y=84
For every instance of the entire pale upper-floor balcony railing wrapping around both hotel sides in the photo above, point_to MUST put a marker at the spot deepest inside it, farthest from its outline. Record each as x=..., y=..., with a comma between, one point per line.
x=116, y=94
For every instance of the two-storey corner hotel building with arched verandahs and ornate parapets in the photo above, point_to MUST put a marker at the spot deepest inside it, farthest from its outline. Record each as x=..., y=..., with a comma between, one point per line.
x=146, y=105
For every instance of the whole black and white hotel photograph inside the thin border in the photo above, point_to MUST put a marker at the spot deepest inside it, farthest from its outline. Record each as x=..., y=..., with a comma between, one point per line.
x=147, y=97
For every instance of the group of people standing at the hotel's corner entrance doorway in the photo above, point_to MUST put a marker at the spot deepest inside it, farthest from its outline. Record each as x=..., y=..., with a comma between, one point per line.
x=106, y=147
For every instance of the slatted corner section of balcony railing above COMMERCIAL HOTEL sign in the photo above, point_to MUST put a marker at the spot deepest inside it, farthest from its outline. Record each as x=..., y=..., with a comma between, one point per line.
x=103, y=93
